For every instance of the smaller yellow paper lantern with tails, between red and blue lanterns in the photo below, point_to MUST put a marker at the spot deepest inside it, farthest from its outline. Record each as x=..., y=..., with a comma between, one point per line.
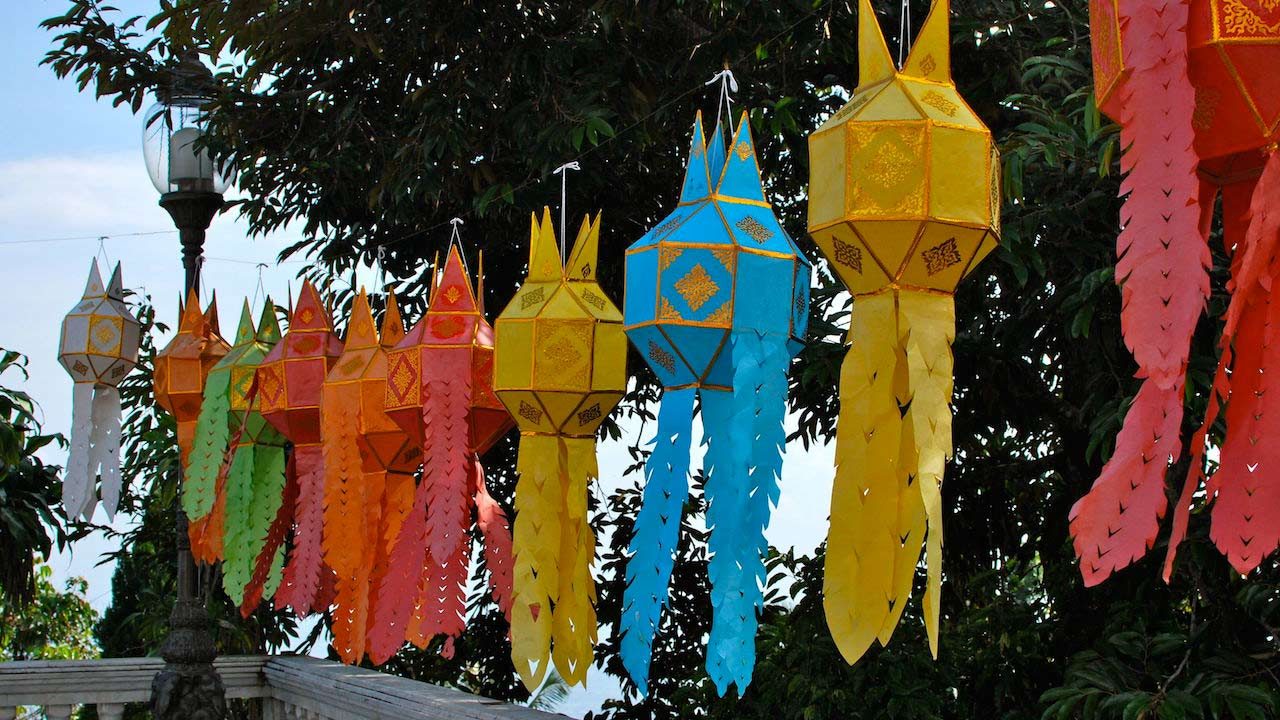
x=561, y=370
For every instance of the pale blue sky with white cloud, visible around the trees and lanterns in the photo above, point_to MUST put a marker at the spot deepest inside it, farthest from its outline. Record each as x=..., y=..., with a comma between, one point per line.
x=72, y=167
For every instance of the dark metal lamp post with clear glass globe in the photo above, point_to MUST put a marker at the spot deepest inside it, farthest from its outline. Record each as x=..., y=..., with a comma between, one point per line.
x=191, y=190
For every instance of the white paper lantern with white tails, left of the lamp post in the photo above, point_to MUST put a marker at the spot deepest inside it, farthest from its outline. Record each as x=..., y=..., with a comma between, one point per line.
x=99, y=347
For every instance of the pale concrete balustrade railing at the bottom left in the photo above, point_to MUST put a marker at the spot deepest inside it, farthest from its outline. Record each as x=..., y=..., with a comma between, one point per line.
x=286, y=687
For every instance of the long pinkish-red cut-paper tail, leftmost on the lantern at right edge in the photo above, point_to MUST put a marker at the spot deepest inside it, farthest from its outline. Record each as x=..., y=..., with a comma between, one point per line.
x=1163, y=268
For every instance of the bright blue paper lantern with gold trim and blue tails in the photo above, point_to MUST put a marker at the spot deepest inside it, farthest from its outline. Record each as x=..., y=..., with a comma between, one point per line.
x=717, y=302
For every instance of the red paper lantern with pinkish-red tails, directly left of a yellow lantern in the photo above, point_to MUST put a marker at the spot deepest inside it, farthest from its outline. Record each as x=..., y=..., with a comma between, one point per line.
x=440, y=391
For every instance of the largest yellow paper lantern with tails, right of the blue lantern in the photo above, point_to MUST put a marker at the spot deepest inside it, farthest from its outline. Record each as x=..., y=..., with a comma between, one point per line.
x=902, y=241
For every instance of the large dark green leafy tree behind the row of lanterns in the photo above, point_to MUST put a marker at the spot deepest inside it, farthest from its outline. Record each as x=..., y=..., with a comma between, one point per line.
x=369, y=125
